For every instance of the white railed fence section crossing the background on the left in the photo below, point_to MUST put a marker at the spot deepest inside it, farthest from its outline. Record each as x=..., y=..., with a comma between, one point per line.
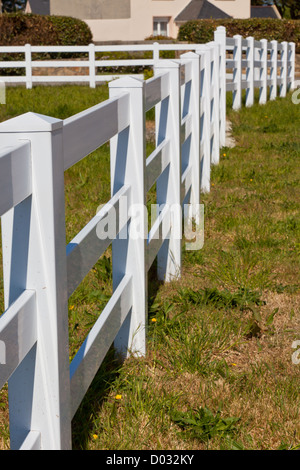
x=88, y=61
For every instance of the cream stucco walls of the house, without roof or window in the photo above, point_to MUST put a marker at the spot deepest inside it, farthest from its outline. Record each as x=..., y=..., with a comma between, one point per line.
x=132, y=20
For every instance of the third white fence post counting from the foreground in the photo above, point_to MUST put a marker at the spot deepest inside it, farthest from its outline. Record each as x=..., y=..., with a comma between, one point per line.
x=168, y=186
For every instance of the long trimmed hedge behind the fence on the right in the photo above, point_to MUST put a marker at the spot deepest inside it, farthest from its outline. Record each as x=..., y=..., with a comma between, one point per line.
x=202, y=31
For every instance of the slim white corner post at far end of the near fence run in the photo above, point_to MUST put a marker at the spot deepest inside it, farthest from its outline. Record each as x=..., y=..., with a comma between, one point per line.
x=220, y=38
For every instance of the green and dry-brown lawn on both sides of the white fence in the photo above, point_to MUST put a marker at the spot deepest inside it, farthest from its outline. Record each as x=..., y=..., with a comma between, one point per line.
x=219, y=371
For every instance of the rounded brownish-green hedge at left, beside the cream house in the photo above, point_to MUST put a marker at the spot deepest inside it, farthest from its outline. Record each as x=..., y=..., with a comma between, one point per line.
x=18, y=29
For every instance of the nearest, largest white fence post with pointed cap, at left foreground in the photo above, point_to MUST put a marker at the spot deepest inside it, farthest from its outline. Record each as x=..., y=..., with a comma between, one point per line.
x=34, y=258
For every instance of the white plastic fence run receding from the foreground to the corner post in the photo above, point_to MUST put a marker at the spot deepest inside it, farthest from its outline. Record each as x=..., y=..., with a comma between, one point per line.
x=41, y=272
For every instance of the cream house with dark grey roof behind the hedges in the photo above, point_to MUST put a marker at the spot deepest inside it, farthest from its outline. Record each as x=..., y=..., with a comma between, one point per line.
x=134, y=20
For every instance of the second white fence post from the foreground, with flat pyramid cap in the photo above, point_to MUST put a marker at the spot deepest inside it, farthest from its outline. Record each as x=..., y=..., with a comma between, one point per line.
x=129, y=249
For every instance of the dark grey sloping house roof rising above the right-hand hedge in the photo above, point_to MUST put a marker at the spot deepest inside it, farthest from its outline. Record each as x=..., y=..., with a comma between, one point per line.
x=200, y=9
